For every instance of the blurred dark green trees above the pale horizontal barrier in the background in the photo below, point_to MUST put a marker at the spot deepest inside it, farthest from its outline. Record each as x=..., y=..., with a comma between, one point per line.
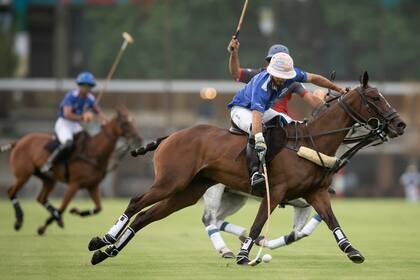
x=187, y=39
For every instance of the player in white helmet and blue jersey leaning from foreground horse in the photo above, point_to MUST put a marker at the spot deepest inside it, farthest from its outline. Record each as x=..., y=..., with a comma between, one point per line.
x=251, y=106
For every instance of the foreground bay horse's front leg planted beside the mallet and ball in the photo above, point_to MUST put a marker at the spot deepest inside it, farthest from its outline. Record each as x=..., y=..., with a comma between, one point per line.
x=276, y=195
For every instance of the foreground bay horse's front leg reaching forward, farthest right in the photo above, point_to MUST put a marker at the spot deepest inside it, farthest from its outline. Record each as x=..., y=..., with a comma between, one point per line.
x=320, y=200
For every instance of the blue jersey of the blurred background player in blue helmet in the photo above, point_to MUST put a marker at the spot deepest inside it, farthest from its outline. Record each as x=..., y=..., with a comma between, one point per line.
x=77, y=103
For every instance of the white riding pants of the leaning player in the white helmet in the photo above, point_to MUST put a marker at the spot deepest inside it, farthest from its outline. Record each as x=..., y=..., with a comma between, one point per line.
x=242, y=117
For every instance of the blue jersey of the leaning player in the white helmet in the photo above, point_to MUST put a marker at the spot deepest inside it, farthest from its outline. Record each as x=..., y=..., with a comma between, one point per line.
x=260, y=94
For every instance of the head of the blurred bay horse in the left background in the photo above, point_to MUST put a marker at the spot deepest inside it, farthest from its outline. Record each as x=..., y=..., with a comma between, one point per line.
x=123, y=126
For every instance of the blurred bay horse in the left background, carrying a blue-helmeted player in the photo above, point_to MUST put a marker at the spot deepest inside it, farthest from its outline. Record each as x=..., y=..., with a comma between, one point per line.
x=85, y=169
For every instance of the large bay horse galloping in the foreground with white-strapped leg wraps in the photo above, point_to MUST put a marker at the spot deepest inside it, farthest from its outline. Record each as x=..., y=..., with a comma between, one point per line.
x=189, y=161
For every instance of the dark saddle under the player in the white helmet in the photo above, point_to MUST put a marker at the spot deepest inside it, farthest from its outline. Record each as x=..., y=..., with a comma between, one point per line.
x=274, y=135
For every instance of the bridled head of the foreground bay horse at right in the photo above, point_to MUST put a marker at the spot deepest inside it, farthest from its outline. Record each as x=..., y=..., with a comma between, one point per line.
x=376, y=111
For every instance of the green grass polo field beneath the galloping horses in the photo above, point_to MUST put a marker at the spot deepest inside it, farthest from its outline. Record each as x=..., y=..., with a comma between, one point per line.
x=387, y=232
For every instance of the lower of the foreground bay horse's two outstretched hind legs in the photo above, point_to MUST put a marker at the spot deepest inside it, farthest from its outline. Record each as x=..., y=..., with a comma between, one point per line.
x=160, y=210
